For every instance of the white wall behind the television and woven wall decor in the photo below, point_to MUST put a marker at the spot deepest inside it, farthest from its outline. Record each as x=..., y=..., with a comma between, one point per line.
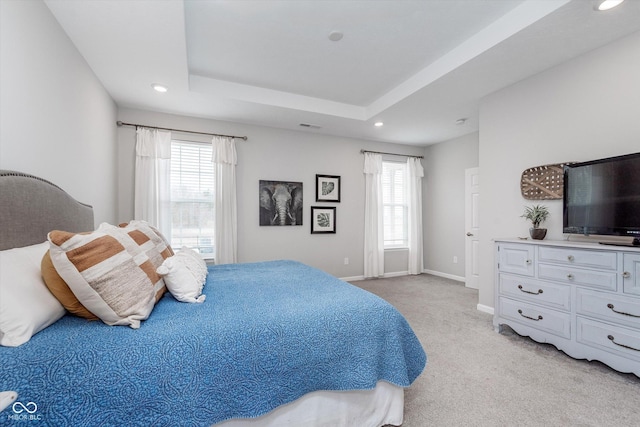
x=584, y=109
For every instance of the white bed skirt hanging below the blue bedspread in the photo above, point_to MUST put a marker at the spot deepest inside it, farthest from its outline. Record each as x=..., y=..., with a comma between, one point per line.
x=363, y=408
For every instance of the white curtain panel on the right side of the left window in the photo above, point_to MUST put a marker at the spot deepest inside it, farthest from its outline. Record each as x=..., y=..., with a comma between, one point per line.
x=226, y=224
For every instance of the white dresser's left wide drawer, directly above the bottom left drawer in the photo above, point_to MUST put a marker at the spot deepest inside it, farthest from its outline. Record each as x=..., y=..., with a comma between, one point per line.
x=536, y=291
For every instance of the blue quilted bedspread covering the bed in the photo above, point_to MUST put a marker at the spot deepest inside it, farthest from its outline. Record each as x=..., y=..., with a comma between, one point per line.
x=266, y=334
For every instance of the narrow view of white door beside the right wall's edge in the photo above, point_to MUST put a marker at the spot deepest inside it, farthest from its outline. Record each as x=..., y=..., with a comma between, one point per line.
x=472, y=230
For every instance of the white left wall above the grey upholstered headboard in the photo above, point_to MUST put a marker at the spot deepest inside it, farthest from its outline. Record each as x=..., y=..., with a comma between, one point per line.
x=57, y=121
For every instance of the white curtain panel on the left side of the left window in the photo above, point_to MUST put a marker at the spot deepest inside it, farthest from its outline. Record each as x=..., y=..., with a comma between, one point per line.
x=152, y=192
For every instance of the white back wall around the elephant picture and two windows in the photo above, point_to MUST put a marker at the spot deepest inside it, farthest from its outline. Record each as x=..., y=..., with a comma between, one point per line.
x=276, y=154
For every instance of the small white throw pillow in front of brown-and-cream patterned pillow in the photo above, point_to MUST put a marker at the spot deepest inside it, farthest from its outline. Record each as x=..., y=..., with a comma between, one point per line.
x=184, y=274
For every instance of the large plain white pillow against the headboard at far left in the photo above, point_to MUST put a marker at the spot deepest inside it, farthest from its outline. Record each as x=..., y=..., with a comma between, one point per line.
x=26, y=305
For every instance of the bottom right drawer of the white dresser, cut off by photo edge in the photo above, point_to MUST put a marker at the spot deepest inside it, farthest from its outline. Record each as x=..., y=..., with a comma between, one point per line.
x=614, y=339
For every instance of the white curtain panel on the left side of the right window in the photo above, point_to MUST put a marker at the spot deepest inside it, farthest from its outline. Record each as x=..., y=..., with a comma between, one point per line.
x=373, y=216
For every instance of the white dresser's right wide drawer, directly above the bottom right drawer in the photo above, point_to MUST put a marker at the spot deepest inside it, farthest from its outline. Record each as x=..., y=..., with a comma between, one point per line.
x=611, y=307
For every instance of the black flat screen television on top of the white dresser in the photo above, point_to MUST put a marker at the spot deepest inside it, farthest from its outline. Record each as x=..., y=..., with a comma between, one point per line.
x=603, y=197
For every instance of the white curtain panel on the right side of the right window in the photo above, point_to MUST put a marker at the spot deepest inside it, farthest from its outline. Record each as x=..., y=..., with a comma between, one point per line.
x=414, y=223
